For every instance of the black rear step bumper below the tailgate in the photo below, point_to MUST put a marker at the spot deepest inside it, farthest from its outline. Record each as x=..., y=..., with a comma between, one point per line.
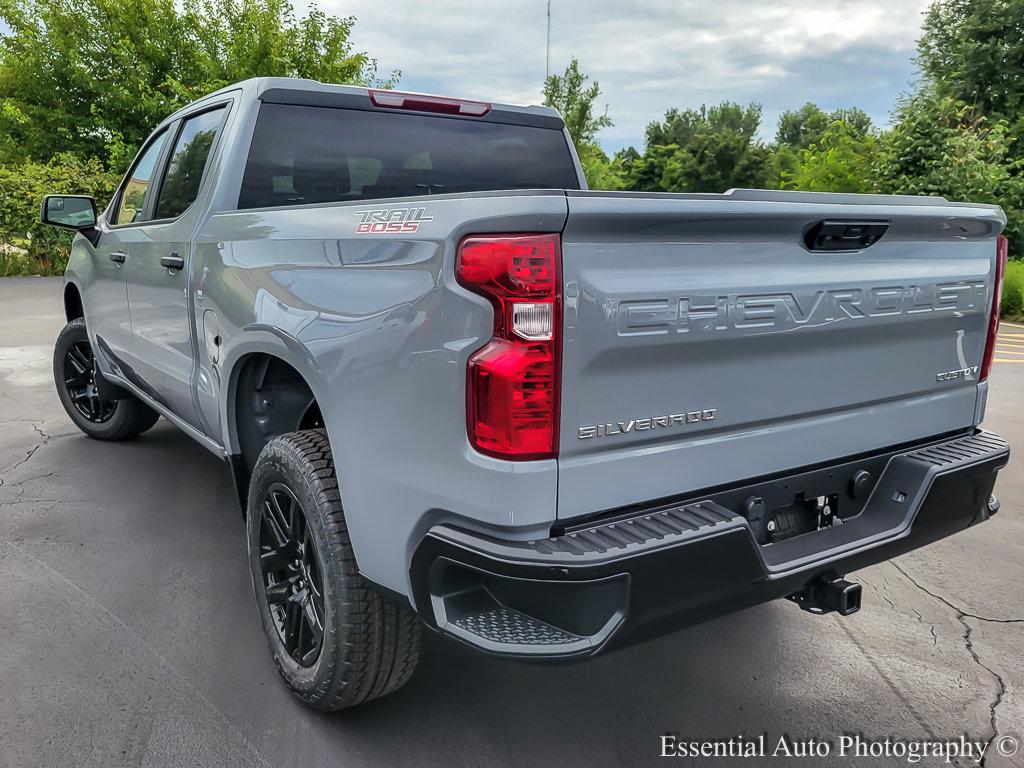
x=656, y=570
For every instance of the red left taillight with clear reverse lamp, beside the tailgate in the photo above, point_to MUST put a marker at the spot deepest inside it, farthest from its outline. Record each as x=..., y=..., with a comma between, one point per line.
x=513, y=386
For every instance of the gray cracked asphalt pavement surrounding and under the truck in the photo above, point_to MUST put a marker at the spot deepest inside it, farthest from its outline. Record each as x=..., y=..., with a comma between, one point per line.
x=130, y=635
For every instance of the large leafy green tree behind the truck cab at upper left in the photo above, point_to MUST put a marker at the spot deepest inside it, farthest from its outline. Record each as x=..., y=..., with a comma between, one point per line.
x=94, y=77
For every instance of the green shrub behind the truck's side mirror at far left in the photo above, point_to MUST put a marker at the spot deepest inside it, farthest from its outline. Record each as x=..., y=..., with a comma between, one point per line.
x=28, y=247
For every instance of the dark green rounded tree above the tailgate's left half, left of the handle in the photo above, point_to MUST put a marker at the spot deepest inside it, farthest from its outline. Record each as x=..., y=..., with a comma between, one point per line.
x=707, y=150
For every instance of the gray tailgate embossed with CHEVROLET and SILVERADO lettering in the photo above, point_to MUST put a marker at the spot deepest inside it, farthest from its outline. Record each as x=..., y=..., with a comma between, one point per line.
x=706, y=345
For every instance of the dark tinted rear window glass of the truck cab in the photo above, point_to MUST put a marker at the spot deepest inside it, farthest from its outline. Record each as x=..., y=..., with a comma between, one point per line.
x=304, y=155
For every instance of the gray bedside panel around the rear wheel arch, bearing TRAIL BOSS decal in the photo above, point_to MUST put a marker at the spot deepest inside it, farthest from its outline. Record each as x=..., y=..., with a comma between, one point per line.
x=382, y=333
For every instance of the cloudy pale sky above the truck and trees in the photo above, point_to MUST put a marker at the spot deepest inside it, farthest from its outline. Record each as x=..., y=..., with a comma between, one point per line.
x=651, y=56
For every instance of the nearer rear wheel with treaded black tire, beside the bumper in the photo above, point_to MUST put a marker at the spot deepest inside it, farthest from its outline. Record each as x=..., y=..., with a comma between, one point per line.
x=336, y=642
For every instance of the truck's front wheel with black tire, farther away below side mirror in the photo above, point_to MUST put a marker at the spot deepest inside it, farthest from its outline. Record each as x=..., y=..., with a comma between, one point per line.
x=75, y=376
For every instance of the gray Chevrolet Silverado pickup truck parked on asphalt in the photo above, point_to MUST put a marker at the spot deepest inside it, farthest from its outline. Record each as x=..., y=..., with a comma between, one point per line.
x=457, y=389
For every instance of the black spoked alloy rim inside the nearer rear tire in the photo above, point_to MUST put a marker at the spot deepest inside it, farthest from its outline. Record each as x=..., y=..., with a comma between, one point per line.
x=292, y=575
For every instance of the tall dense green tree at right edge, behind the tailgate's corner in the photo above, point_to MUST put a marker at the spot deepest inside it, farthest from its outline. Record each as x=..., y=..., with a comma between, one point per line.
x=962, y=135
